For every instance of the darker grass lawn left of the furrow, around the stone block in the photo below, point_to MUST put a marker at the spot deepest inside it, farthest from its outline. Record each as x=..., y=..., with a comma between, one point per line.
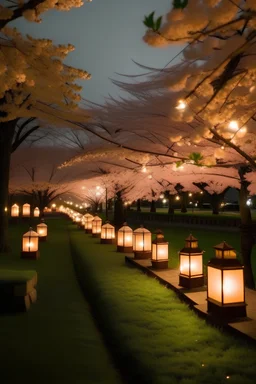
x=56, y=341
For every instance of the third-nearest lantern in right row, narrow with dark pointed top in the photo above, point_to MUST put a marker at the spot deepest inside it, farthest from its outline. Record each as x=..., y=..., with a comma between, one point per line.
x=159, y=251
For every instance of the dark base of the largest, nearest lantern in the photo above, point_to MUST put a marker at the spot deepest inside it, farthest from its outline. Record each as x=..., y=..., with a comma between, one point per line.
x=226, y=313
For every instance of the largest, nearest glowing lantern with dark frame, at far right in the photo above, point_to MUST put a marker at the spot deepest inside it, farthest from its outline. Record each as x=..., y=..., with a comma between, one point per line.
x=225, y=286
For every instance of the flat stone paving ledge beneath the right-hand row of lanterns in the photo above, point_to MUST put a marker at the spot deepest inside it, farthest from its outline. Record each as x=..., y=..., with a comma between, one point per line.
x=196, y=297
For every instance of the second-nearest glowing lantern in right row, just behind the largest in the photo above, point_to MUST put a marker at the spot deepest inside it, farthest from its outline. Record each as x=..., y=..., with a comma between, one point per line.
x=191, y=264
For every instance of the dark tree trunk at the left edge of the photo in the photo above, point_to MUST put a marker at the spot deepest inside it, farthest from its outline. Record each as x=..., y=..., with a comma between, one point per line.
x=6, y=136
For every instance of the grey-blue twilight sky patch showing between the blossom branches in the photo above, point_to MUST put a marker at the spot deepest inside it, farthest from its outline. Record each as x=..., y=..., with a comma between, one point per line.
x=107, y=35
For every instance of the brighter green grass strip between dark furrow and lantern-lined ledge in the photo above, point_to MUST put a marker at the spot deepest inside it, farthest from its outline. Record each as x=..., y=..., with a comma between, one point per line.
x=156, y=338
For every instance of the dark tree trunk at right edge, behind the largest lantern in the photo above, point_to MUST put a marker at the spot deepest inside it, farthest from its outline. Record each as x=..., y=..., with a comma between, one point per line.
x=246, y=235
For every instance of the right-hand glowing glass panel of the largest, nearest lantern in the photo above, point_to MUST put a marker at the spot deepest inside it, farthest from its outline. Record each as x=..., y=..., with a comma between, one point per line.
x=233, y=286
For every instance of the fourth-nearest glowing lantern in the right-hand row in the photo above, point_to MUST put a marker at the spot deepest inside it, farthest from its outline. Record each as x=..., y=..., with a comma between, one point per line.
x=142, y=243
